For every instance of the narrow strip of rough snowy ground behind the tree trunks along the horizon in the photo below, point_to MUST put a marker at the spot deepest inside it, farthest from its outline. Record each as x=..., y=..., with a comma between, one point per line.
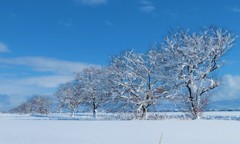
x=233, y=115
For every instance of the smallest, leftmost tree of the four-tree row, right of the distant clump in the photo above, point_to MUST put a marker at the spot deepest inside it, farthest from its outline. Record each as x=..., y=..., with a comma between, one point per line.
x=70, y=95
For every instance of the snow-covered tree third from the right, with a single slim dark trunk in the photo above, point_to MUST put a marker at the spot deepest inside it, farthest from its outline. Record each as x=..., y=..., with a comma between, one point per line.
x=96, y=87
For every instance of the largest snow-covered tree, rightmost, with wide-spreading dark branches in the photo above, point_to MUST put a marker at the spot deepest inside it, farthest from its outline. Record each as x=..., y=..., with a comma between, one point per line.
x=192, y=59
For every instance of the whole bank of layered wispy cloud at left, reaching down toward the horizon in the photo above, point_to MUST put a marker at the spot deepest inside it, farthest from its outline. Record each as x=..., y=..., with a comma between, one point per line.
x=26, y=76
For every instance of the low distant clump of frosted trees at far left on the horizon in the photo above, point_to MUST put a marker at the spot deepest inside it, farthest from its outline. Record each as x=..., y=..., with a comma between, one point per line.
x=35, y=105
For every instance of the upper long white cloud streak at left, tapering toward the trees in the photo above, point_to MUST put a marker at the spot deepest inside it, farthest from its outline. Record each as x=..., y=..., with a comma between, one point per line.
x=46, y=64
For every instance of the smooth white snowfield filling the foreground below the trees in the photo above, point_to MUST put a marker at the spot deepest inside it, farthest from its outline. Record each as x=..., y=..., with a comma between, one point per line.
x=24, y=129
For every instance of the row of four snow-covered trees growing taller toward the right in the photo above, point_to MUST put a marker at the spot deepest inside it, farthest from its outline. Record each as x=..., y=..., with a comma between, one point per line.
x=182, y=68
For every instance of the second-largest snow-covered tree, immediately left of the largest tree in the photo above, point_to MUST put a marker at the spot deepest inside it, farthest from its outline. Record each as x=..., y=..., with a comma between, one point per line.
x=137, y=80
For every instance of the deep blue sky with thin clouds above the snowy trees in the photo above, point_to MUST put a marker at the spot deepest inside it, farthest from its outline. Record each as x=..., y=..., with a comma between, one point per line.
x=42, y=42
